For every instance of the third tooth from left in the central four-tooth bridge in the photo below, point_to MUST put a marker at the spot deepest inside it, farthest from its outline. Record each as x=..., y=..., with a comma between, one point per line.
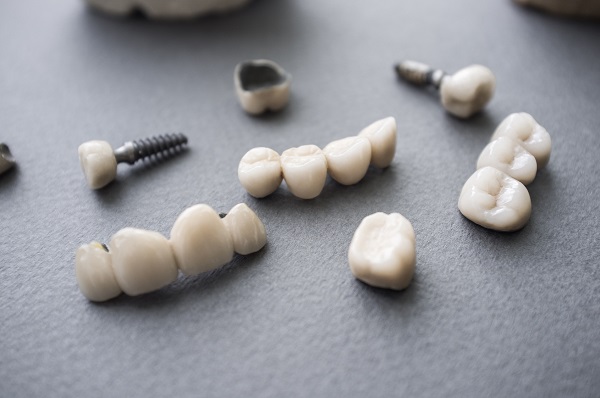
x=348, y=159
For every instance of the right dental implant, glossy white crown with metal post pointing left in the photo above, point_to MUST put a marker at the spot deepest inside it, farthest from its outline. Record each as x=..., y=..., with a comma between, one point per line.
x=462, y=94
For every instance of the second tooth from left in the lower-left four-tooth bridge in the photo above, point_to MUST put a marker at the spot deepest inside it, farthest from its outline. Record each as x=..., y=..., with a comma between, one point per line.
x=142, y=261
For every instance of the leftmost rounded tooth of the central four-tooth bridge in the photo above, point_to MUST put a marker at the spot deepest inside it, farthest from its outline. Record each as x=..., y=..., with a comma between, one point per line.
x=259, y=172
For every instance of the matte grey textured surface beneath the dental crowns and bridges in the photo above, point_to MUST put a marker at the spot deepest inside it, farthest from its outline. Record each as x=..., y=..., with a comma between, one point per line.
x=487, y=314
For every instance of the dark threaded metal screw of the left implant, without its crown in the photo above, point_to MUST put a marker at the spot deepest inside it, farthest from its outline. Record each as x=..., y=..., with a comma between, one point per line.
x=132, y=151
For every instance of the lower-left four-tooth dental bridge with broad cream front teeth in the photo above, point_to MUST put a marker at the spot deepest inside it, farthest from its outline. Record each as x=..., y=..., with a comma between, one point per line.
x=140, y=261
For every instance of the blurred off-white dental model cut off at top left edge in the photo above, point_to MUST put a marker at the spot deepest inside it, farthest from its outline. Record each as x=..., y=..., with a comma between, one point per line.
x=167, y=9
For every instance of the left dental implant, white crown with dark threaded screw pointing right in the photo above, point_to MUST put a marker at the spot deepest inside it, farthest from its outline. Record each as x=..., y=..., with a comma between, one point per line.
x=99, y=161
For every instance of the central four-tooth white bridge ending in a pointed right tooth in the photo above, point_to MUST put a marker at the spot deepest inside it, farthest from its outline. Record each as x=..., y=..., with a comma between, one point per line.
x=261, y=170
